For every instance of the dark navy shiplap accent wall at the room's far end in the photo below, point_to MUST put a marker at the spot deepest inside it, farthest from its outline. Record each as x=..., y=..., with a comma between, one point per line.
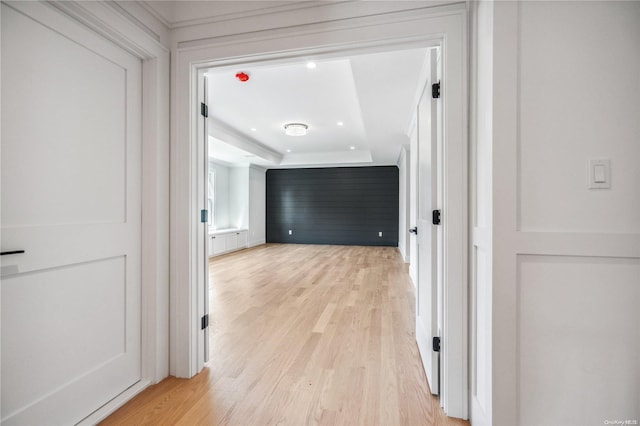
x=342, y=205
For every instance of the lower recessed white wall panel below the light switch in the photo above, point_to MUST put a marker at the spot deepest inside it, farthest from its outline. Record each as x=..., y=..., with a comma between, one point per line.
x=578, y=339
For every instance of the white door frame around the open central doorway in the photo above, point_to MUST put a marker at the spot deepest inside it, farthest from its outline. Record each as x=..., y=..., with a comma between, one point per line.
x=445, y=25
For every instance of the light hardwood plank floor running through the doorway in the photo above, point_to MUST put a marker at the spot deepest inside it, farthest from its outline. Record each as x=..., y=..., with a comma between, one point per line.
x=302, y=334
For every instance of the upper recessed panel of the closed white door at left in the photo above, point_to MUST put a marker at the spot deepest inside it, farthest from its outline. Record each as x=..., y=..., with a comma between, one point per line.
x=53, y=101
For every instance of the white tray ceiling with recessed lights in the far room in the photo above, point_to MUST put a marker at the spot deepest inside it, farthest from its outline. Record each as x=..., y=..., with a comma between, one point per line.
x=373, y=95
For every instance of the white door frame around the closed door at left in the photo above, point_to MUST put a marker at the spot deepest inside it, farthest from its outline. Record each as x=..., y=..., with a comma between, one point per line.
x=113, y=23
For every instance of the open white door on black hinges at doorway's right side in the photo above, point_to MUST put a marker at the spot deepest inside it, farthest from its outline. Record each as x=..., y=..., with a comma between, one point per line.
x=429, y=237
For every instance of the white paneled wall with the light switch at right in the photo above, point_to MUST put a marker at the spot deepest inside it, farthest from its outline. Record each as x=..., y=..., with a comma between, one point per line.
x=566, y=259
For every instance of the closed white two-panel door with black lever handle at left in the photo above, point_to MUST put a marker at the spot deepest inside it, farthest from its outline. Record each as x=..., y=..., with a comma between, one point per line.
x=71, y=183
